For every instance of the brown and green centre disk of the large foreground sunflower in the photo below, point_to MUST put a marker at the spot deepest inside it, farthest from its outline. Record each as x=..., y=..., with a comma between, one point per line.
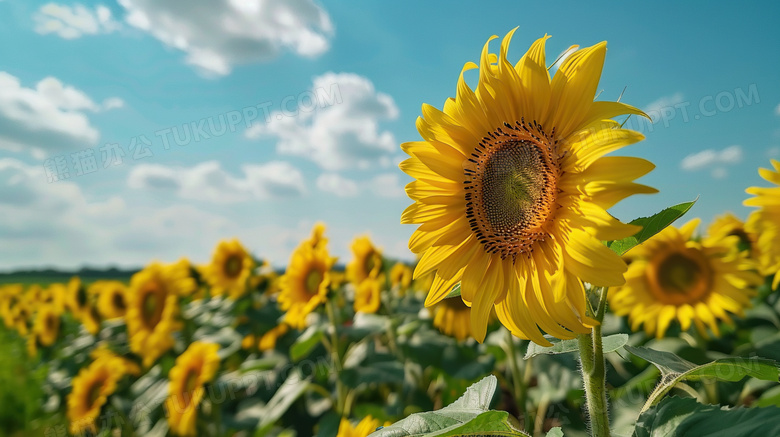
x=511, y=186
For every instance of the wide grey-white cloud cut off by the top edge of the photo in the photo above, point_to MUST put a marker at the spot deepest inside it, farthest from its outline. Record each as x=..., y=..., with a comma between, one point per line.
x=238, y=31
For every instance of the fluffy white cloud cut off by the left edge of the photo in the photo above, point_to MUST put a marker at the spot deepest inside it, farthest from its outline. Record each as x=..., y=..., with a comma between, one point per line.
x=48, y=118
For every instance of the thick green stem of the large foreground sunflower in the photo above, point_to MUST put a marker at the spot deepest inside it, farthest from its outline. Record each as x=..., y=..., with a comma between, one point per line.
x=594, y=371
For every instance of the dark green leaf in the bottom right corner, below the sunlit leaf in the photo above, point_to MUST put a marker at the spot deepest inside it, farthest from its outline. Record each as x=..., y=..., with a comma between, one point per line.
x=681, y=417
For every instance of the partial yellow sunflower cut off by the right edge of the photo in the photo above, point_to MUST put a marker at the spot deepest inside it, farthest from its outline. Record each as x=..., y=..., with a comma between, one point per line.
x=765, y=222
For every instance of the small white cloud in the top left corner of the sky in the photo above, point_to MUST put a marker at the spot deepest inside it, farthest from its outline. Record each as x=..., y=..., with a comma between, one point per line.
x=71, y=22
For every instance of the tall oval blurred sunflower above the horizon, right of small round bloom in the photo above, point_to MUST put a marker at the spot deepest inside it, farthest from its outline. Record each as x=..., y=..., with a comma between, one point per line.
x=304, y=285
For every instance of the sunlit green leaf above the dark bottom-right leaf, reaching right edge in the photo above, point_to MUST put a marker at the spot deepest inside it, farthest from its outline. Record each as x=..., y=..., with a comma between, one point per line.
x=675, y=369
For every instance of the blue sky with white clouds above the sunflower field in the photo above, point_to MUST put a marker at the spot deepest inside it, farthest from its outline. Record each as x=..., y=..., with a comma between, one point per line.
x=329, y=90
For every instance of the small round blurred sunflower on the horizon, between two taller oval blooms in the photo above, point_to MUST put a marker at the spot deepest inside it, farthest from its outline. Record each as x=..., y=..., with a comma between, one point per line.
x=230, y=269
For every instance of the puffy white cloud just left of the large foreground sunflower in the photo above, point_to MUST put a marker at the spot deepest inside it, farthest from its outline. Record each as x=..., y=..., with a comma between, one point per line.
x=342, y=135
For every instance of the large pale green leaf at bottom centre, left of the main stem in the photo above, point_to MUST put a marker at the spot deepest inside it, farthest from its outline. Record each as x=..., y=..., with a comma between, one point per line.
x=470, y=415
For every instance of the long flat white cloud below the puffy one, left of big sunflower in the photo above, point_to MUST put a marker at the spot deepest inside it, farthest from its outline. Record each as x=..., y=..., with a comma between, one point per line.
x=209, y=182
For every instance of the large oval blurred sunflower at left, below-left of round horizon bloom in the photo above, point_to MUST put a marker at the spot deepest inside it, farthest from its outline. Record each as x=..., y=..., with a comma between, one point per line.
x=152, y=308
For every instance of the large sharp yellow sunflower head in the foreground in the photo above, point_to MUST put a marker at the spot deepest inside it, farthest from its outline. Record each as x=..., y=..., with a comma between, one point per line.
x=511, y=190
